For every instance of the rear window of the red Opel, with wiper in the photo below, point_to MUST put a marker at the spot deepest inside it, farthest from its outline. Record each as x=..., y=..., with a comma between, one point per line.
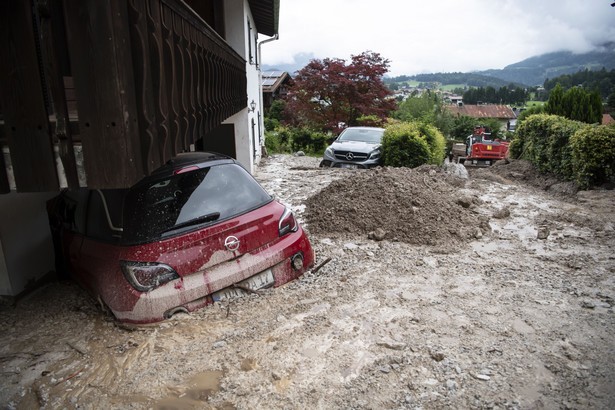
x=189, y=201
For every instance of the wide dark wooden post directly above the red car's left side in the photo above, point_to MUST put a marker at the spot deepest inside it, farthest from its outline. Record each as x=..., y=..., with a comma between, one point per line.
x=101, y=63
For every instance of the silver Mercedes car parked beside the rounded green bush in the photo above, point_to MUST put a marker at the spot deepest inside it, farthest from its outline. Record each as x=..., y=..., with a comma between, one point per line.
x=355, y=147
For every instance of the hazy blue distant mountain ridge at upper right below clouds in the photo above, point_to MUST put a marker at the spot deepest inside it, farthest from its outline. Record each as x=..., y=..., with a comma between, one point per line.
x=535, y=70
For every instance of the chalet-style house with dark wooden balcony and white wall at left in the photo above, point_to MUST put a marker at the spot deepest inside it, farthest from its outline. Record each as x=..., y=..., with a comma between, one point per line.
x=99, y=94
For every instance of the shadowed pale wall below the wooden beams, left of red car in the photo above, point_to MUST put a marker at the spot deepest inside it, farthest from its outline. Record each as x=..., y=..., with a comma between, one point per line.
x=25, y=240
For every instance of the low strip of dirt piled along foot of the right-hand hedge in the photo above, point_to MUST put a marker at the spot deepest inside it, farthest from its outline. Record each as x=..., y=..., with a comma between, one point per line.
x=520, y=171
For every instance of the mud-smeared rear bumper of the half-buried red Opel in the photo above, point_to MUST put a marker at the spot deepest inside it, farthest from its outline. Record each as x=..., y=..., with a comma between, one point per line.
x=195, y=290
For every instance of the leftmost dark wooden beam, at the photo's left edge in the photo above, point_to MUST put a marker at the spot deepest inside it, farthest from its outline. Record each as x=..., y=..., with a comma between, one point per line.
x=26, y=121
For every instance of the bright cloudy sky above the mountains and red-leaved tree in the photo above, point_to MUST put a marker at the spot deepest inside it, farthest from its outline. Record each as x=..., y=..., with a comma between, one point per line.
x=431, y=36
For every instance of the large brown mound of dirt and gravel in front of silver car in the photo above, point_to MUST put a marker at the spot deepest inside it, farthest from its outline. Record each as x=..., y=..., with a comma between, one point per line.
x=420, y=206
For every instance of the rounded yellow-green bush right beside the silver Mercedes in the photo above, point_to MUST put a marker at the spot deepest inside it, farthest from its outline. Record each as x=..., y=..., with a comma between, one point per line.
x=411, y=144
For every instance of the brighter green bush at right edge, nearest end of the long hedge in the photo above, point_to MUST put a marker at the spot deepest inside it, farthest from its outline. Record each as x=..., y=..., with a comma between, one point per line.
x=593, y=155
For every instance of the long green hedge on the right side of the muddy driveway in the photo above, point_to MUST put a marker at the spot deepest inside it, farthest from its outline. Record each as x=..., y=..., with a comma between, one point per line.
x=567, y=148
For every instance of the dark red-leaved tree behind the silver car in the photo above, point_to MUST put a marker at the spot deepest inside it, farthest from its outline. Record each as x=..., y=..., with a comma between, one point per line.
x=329, y=95
